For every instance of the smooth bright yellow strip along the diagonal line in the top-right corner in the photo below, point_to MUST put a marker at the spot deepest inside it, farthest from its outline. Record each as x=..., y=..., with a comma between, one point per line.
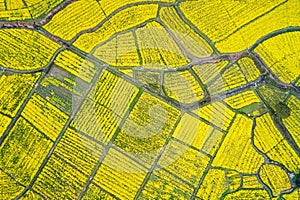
x=285, y=14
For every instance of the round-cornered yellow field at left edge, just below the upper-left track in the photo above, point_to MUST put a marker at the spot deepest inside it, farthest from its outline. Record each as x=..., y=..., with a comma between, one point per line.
x=25, y=49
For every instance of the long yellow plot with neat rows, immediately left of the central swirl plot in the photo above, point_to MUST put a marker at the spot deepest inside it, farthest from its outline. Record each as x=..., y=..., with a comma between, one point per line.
x=106, y=105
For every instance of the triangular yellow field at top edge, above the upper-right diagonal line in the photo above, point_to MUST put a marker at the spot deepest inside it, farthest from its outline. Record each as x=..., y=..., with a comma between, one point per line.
x=229, y=16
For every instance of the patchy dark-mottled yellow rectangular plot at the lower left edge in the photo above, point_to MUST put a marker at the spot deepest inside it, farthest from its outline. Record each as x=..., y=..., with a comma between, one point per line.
x=24, y=151
